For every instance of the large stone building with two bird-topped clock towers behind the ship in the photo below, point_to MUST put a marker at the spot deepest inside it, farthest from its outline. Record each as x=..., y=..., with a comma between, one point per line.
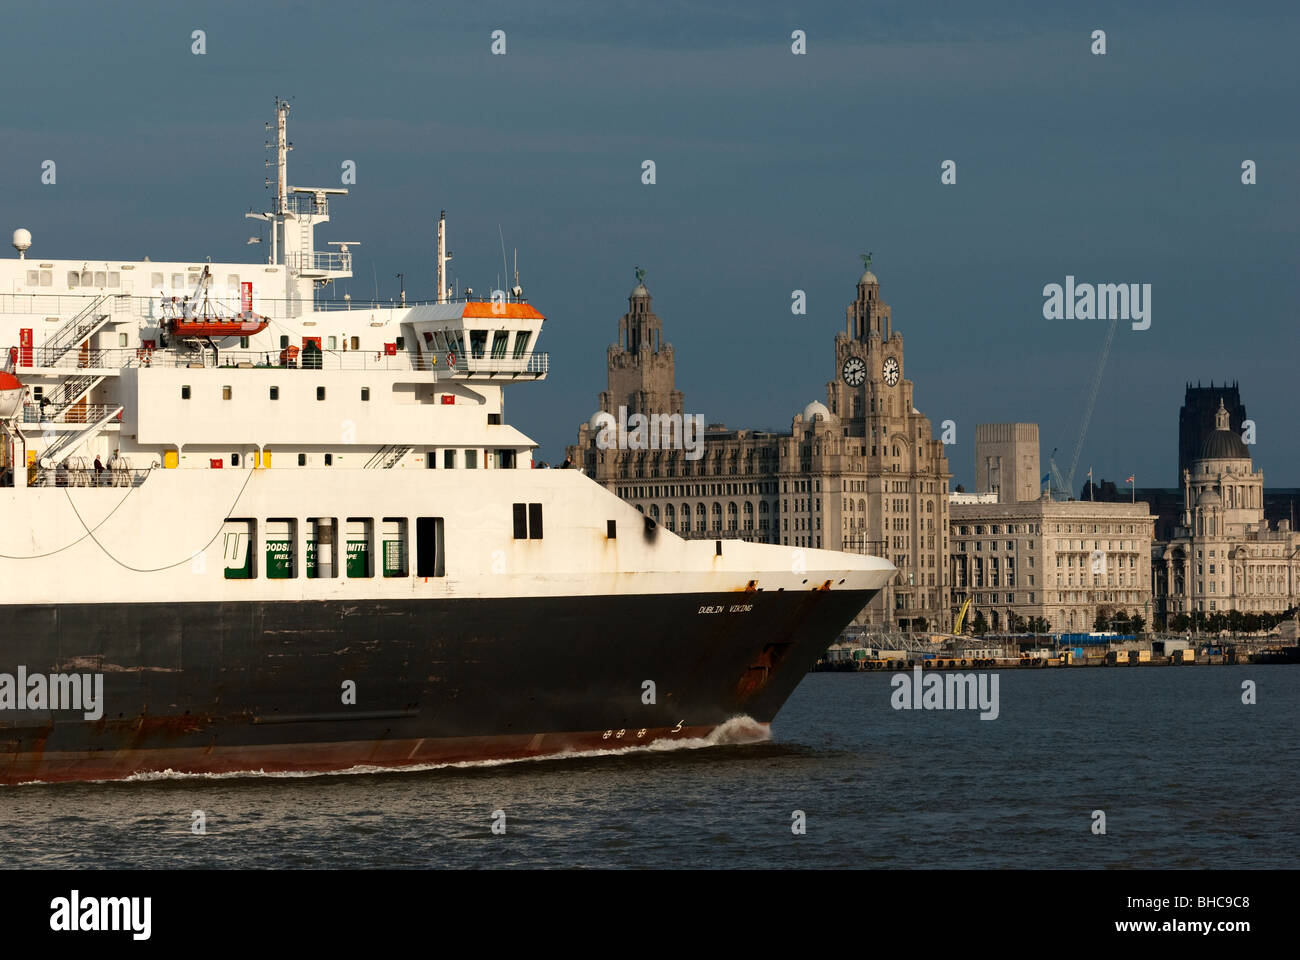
x=860, y=473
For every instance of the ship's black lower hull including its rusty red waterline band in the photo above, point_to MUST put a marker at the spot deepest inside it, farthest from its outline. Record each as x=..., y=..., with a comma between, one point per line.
x=261, y=686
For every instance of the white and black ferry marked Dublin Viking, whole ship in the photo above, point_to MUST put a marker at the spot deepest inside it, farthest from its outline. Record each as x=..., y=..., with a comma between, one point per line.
x=249, y=529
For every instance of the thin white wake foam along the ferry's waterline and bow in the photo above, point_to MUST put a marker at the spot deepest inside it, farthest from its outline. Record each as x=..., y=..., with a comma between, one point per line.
x=735, y=732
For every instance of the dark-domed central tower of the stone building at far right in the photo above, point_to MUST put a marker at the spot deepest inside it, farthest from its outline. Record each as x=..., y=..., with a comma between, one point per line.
x=1223, y=492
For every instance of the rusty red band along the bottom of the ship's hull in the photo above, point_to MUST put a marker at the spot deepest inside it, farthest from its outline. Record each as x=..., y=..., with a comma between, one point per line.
x=327, y=758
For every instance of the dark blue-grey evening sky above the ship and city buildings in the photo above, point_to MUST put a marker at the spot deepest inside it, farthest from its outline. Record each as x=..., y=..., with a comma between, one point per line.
x=774, y=172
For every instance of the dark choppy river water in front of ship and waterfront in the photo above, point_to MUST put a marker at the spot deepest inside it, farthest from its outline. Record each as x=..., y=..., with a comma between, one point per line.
x=1189, y=777
